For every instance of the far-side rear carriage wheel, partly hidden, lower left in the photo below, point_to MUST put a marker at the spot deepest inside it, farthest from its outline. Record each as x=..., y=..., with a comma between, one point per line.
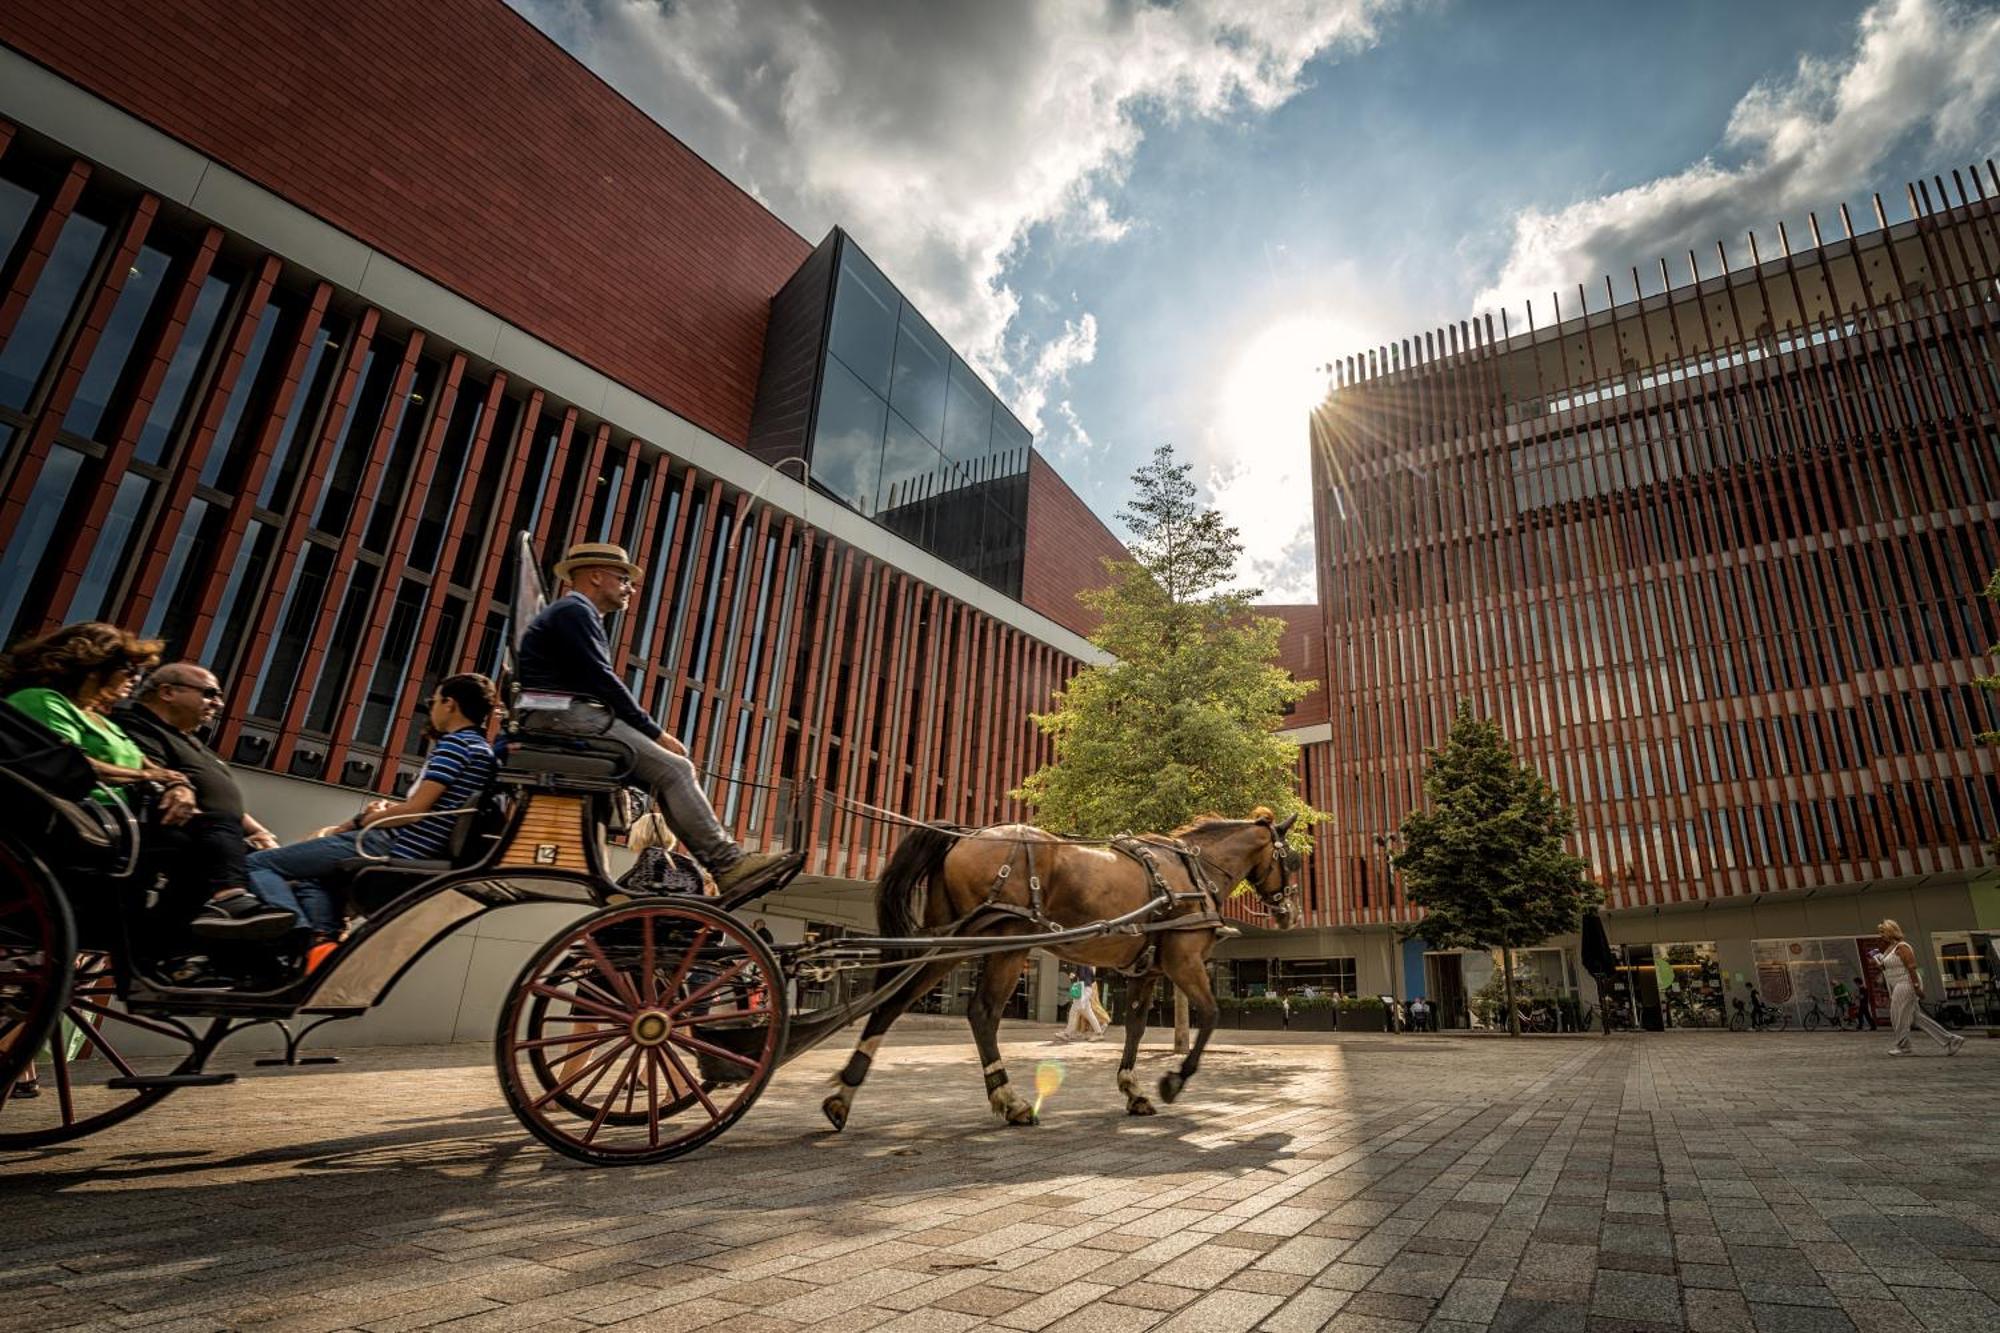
x=95, y=1048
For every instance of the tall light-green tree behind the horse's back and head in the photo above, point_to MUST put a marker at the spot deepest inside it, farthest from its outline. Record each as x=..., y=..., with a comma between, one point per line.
x=1183, y=720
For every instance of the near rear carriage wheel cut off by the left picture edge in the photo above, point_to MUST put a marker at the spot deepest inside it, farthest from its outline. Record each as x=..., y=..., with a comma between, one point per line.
x=37, y=960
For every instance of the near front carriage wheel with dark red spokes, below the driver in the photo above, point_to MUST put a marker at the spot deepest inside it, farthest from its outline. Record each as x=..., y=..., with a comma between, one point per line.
x=643, y=1032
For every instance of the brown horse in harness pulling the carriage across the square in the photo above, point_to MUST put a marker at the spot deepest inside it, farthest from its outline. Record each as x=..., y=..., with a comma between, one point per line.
x=1013, y=880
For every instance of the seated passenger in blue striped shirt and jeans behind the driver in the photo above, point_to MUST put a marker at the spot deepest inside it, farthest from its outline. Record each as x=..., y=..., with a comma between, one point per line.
x=459, y=768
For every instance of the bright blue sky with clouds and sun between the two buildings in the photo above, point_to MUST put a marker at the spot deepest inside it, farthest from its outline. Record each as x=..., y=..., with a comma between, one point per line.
x=1155, y=223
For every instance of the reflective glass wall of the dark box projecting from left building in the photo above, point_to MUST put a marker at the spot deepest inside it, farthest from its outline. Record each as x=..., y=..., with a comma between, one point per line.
x=909, y=435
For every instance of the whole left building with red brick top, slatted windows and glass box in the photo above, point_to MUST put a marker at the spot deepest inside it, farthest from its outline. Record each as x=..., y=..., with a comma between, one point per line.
x=305, y=309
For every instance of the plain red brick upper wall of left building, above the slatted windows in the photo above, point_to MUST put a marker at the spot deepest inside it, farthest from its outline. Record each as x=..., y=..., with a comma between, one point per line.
x=467, y=145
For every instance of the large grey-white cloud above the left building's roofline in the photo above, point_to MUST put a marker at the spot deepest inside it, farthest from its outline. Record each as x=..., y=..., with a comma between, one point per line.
x=945, y=135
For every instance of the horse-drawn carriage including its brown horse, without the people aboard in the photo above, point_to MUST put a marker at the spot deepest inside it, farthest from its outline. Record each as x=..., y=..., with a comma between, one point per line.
x=639, y=1032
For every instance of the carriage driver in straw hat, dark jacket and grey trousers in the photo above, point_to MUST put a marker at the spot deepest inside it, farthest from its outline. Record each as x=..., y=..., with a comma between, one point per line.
x=567, y=651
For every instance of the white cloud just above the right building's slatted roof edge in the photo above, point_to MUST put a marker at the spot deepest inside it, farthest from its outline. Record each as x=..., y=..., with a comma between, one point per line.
x=1923, y=73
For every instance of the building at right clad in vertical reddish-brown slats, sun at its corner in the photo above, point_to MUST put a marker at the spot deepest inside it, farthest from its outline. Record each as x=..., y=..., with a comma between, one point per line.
x=1711, y=559
